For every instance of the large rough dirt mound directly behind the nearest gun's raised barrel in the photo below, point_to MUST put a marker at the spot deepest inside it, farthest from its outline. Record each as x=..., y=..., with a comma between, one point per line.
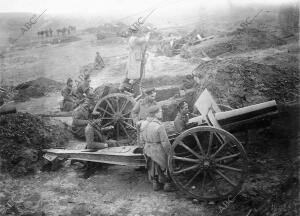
x=239, y=81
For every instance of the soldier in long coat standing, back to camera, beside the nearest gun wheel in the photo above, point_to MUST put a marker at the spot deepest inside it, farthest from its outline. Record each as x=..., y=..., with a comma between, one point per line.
x=154, y=139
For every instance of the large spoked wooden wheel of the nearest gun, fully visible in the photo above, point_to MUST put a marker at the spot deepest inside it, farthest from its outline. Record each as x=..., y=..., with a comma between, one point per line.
x=208, y=163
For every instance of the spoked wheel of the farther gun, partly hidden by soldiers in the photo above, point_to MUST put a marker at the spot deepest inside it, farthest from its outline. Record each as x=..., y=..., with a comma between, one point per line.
x=115, y=111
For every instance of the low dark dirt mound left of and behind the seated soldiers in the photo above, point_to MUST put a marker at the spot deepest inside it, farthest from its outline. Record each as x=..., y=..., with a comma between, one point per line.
x=36, y=88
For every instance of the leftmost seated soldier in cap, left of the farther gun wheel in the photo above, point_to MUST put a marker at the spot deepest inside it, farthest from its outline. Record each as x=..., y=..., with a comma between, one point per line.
x=68, y=102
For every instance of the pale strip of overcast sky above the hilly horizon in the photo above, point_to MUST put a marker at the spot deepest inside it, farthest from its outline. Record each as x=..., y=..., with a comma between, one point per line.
x=117, y=7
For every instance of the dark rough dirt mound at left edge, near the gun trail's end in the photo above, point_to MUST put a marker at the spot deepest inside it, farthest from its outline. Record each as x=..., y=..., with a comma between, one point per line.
x=22, y=138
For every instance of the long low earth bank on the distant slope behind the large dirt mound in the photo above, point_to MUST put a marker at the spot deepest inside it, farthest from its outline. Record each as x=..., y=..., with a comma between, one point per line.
x=238, y=41
